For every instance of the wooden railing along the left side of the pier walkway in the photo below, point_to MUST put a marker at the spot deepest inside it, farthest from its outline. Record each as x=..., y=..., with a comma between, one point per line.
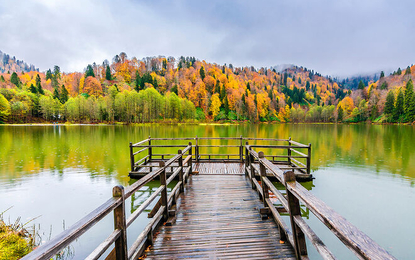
x=116, y=204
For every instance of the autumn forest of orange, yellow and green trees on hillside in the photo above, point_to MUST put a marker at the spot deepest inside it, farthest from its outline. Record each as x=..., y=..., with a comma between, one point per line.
x=160, y=89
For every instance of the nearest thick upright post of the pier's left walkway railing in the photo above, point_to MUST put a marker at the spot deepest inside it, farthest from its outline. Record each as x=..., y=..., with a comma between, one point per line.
x=120, y=223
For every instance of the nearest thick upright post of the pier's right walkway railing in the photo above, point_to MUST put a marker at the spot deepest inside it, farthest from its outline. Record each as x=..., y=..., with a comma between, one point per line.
x=294, y=210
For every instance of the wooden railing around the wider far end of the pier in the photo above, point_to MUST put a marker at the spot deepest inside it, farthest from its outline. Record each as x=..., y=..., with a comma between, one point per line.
x=292, y=154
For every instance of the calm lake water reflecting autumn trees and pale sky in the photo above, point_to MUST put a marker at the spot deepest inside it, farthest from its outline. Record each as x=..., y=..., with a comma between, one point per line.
x=58, y=174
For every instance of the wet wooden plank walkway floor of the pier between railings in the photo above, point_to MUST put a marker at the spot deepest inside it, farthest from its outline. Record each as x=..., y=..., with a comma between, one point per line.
x=218, y=218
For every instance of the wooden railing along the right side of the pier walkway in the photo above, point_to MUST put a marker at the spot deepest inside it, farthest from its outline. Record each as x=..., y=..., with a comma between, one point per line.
x=358, y=242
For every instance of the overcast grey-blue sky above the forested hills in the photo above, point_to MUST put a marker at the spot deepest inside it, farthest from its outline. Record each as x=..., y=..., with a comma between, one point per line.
x=333, y=37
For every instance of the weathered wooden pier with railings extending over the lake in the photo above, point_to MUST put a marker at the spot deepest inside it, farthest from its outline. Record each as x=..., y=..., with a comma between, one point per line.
x=224, y=205
